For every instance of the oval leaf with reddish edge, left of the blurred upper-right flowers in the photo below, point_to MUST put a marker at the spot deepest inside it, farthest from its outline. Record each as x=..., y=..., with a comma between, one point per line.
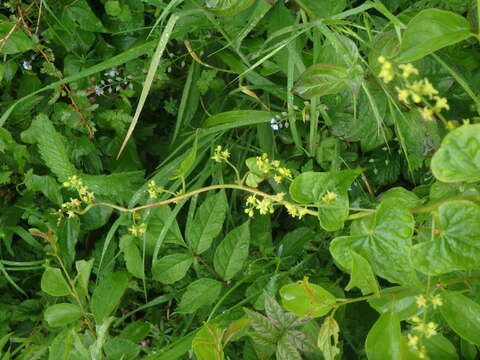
x=326, y=79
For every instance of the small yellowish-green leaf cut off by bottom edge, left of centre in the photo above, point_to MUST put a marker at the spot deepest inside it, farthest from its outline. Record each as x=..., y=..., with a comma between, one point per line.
x=207, y=343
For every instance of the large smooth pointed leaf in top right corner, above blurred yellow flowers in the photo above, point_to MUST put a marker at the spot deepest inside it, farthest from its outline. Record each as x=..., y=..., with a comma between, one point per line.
x=429, y=31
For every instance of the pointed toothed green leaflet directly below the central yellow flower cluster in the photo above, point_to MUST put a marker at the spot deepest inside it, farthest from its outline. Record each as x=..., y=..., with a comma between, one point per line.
x=232, y=252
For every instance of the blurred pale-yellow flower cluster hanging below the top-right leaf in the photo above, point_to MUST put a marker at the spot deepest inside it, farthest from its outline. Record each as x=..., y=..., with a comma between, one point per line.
x=420, y=92
